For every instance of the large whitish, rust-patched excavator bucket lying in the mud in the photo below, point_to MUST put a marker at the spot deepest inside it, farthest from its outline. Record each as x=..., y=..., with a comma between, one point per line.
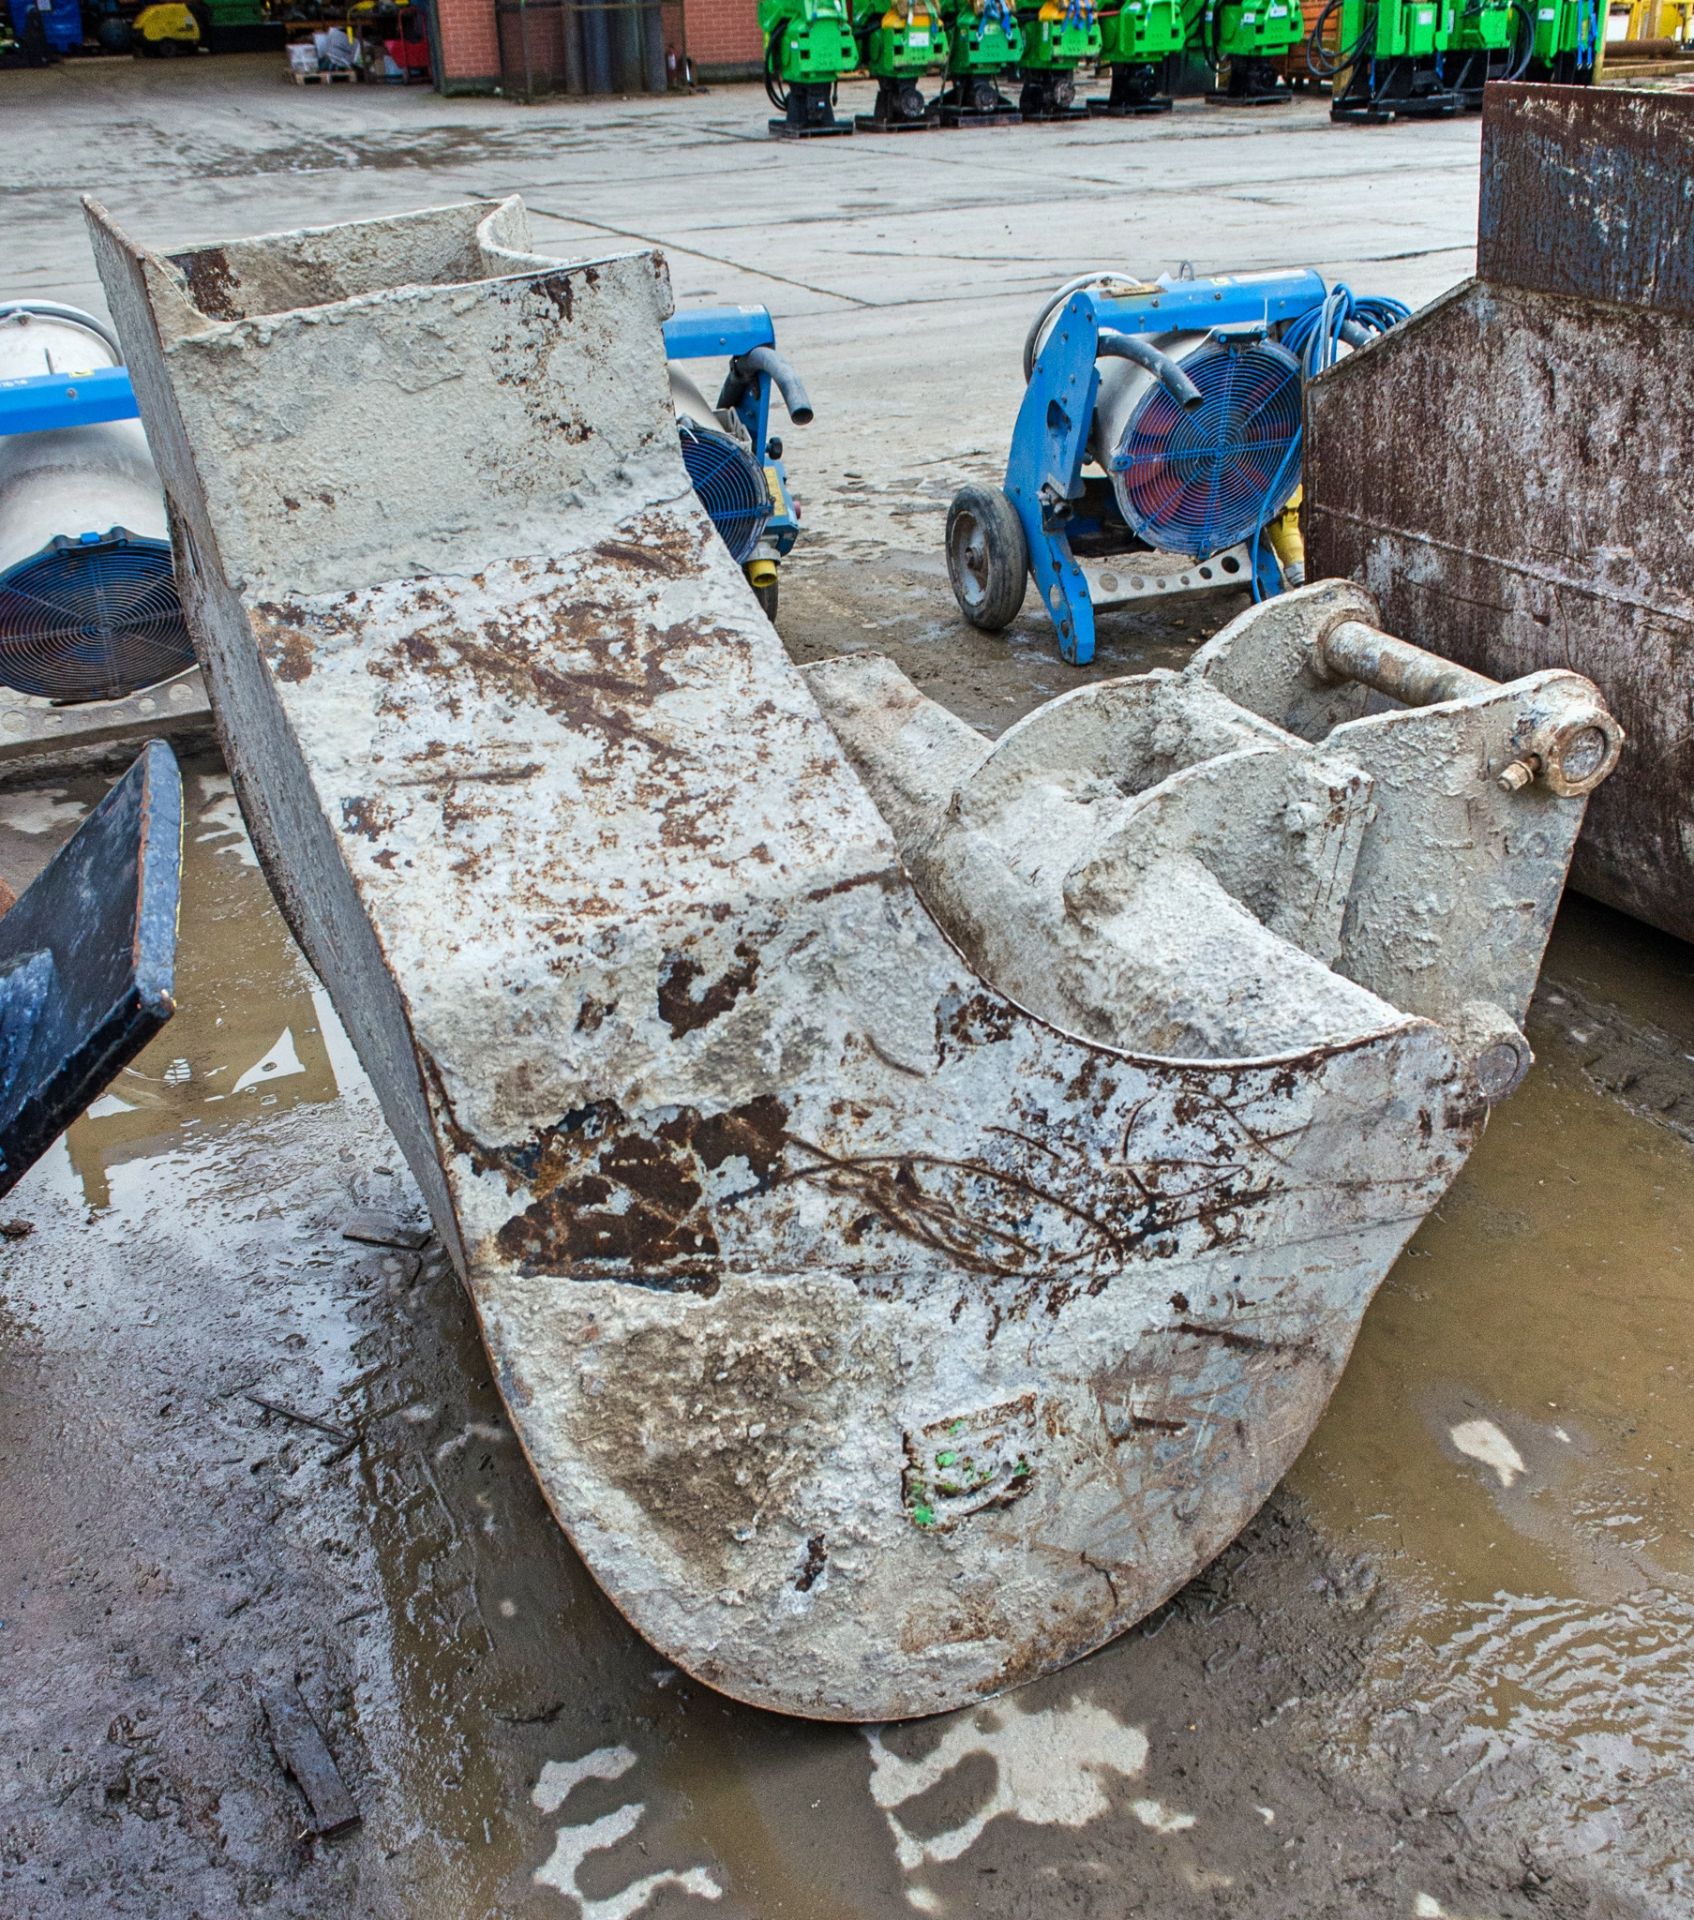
x=919, y=1193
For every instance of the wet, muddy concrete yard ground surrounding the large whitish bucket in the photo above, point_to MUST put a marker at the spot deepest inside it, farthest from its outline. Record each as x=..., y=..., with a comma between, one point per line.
x=1445, y=1673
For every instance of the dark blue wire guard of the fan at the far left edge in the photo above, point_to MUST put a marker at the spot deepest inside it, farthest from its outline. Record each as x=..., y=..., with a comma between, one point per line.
x=93, y=619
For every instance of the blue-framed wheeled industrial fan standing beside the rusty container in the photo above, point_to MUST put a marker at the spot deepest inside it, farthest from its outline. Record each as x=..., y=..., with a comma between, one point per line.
x=1186, y=398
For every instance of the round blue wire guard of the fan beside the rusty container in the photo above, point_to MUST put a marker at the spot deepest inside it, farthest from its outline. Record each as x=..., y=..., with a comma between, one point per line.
x=1199, y=481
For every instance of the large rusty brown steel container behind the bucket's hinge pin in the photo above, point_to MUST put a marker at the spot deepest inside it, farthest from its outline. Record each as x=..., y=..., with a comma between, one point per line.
x=1507, y=473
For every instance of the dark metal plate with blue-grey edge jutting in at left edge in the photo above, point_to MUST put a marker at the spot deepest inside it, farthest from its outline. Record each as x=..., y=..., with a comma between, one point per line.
x=87, y=961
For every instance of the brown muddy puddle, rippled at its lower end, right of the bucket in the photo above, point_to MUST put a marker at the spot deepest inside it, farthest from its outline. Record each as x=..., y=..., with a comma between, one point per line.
x=1514, y=1437
